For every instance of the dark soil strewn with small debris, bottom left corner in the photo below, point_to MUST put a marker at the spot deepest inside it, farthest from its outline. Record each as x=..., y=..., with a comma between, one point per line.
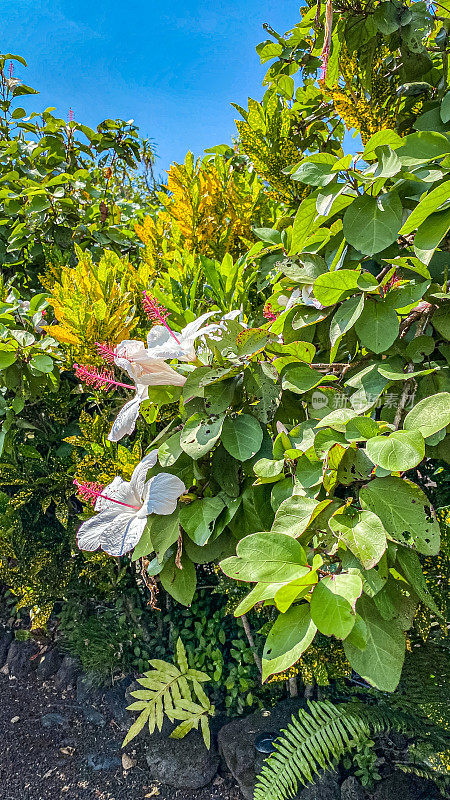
x=62, y=761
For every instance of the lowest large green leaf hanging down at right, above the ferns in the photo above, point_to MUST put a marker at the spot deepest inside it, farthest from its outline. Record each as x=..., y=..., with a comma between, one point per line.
x=380, y=662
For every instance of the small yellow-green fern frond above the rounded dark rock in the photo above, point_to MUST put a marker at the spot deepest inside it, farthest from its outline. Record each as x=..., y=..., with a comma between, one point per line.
x=167, y=692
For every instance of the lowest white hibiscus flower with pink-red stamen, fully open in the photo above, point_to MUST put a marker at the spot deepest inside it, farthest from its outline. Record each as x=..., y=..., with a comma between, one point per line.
x=124, y=506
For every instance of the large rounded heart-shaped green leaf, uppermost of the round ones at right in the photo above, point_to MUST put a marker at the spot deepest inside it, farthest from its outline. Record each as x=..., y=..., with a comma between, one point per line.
x=372, y=223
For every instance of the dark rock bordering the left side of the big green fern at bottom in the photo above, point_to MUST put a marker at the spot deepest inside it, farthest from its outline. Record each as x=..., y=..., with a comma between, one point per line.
x=237, y=742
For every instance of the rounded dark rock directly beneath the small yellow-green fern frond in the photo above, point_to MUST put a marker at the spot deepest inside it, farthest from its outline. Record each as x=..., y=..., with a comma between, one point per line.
x=181, y=763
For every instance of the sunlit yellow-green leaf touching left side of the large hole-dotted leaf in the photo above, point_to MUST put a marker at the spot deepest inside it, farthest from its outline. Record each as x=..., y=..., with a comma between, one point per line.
x=363, y=533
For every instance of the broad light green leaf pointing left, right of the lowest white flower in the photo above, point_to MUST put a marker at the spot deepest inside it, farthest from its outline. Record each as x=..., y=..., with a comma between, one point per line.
x=267, y=558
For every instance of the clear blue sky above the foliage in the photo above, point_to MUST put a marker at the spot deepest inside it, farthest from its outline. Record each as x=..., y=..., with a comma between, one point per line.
x=172, y=67
